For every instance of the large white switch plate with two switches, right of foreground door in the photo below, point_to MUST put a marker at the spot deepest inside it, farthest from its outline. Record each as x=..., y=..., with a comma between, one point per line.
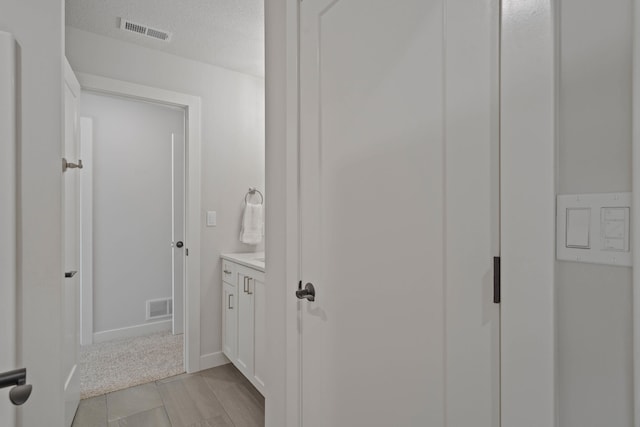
x=594, y=228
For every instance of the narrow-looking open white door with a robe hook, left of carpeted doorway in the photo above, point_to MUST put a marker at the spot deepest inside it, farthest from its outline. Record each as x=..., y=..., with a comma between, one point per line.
x=71, y=246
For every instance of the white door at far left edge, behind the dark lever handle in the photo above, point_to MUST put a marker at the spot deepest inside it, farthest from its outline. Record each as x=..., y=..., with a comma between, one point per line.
x=8, y=278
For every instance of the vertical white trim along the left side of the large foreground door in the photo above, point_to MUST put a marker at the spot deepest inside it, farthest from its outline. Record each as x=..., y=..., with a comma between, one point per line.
x=281, y=275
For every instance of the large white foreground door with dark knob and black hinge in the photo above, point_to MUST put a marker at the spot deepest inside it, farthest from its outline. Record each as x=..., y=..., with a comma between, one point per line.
x=399, y=204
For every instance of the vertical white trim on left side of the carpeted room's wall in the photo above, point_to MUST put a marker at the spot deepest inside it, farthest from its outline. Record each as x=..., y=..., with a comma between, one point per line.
x=86, y=232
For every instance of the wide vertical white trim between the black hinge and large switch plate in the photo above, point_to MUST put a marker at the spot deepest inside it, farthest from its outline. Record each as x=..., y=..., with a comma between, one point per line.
x=527, y=167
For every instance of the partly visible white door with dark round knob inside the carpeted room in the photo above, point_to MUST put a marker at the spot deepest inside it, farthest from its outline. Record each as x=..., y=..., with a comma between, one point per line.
x=177, y=230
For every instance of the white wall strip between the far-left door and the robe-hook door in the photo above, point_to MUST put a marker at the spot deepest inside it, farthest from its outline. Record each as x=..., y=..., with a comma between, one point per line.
x=38, y=28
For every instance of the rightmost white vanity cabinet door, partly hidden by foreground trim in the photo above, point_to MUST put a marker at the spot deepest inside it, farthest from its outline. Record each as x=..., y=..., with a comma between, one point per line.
x=260, y=333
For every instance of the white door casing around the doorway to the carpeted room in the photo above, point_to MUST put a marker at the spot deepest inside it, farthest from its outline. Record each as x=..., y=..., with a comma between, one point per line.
x=192, y=106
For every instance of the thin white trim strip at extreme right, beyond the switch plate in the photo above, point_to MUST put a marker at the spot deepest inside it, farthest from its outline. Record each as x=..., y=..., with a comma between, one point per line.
x=635, y=208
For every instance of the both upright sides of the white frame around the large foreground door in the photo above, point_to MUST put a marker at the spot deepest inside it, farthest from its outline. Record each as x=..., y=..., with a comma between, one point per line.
x=528, y=254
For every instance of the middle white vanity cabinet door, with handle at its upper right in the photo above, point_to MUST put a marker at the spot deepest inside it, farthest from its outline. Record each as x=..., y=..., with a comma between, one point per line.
x=244, y=360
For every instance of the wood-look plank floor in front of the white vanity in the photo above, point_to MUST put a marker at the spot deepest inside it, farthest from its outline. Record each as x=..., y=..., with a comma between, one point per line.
x=218, y=397
